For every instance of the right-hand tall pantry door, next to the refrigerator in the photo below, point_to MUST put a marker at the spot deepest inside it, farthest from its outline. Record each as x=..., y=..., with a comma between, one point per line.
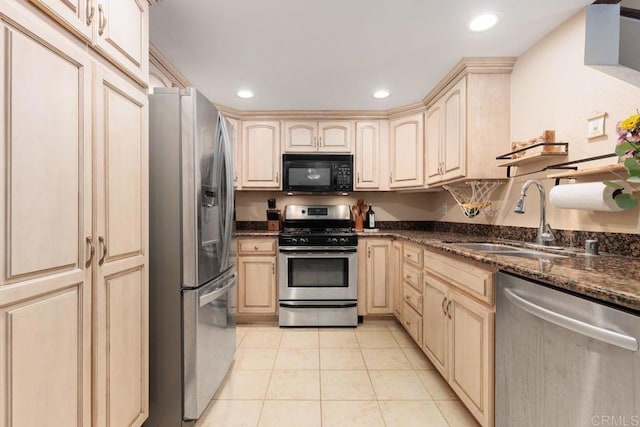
x=121, y=287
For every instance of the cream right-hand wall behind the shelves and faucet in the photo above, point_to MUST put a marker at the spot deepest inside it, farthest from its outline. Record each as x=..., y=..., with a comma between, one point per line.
x=553, y=89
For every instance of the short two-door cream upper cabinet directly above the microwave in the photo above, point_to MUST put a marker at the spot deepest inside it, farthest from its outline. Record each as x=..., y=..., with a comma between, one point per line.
x=311, y=136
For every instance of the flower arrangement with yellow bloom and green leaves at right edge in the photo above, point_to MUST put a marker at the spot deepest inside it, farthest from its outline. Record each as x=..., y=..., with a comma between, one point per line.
x=628, y=149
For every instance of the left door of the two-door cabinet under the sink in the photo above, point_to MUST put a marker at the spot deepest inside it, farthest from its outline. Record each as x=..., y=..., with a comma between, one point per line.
x=436, y=323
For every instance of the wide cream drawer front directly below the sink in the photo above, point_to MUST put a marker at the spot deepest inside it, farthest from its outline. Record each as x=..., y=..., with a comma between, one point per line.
x=473, y=278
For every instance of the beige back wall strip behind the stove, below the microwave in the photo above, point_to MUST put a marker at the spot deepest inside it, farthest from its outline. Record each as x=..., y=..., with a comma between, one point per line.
x=251, y=205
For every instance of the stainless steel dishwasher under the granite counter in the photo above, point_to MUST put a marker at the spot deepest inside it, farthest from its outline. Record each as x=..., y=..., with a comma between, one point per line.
x=562, y=360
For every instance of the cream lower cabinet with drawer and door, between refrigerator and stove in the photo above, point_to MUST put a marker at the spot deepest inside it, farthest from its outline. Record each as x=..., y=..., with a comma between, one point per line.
x=257, y=276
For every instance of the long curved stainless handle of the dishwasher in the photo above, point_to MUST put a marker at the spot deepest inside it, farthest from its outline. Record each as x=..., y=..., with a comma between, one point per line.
x=610, y=337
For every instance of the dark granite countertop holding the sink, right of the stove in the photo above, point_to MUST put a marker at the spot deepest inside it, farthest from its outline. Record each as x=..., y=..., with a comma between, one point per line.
x=610, y=278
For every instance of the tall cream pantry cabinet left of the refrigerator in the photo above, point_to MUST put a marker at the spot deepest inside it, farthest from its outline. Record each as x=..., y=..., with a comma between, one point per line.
x=73, y=222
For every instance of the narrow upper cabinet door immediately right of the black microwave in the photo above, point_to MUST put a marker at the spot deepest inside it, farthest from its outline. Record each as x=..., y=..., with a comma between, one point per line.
x=367, y=156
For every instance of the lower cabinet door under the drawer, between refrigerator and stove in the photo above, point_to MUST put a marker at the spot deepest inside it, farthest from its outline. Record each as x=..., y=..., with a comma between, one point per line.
x=257, y=285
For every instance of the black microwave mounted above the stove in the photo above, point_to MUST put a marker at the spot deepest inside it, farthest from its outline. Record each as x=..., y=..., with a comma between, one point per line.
x=317, y=173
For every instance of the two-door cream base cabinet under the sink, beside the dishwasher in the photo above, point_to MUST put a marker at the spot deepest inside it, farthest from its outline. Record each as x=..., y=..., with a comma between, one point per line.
x=458, y=333
